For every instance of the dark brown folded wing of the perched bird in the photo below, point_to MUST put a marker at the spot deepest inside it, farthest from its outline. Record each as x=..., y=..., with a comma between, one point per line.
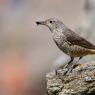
x=74, y=39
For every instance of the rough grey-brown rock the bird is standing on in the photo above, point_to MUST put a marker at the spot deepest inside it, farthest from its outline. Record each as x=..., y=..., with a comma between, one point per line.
x=81, y=81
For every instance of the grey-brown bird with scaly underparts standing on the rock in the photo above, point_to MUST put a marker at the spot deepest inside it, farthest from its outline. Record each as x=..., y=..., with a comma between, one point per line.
x=67, y=40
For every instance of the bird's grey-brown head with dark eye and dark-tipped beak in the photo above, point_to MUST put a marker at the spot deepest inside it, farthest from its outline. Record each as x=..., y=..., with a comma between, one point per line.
x=52, y=24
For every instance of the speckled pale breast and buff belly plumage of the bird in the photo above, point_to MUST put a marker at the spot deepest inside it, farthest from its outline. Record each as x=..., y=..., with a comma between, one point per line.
x=68, y=47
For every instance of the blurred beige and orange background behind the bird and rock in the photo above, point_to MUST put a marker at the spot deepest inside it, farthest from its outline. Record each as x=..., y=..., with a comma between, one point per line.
x=27, y=52
